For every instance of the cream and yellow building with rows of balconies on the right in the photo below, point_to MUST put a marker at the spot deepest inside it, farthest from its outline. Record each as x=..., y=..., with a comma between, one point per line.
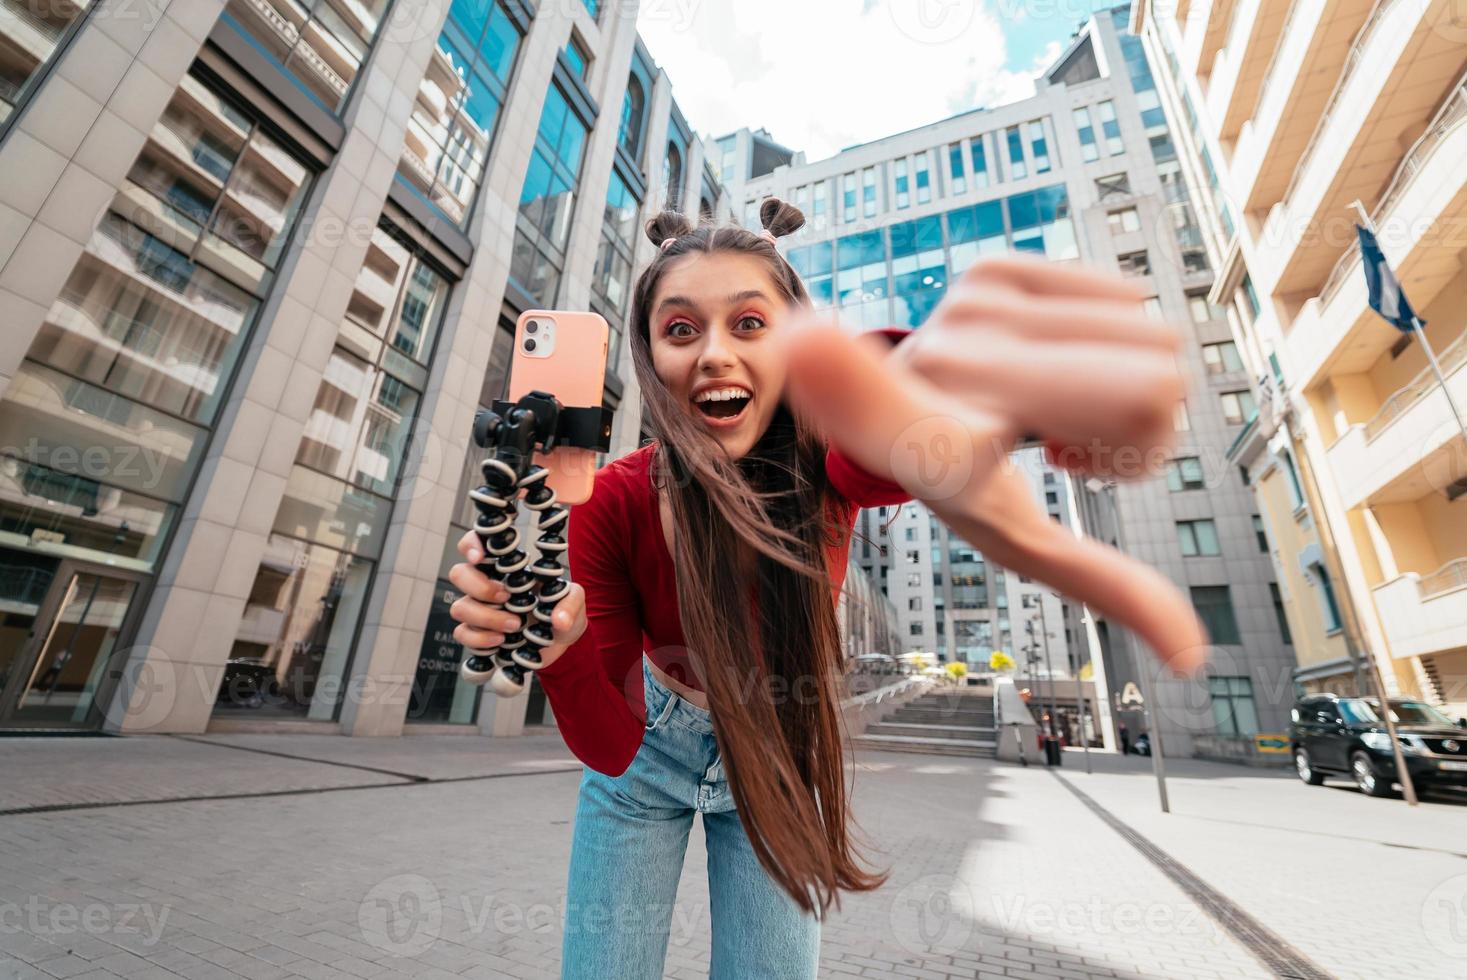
x=1296, y=112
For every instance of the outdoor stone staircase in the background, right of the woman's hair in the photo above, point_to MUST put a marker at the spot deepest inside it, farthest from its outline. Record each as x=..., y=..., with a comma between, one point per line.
x=945, y=723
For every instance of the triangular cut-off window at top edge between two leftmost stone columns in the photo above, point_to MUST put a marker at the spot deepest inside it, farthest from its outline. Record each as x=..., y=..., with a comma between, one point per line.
x=316, y=43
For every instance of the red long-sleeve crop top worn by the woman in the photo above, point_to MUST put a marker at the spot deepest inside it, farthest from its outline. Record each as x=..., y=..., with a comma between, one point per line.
x=620, y=558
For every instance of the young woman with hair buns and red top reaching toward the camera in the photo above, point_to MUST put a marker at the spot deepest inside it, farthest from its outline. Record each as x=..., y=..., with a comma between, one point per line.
x=698, y=667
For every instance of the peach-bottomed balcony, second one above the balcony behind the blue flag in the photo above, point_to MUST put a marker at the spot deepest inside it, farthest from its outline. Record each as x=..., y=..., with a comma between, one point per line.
x=1295, y=90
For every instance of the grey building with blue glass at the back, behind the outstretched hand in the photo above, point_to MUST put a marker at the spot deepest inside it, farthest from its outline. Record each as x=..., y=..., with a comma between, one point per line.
x=1085, y=171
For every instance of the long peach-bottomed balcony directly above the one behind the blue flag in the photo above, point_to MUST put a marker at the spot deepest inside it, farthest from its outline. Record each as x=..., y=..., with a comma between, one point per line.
x=1403, y=68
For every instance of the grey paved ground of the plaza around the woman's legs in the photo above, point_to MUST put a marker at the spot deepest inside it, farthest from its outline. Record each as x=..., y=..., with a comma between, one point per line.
x=445, y=857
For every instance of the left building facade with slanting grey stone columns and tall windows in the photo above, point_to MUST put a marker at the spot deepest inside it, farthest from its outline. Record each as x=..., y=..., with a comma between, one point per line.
x=259, y=268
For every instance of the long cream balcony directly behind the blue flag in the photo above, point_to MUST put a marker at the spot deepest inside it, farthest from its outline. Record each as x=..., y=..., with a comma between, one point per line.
x=1427, y=200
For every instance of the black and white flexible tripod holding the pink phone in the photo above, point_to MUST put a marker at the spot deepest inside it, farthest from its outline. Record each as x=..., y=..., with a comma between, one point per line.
x=514, y=432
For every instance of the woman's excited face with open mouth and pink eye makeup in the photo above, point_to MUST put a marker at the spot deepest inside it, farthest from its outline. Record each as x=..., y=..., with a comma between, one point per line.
x=711, y=325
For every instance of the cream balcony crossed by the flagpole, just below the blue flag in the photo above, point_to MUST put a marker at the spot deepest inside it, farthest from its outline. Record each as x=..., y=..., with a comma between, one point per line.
x=1412, y=447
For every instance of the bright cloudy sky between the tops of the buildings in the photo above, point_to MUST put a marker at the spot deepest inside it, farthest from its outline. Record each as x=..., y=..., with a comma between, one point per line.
x=824, y=76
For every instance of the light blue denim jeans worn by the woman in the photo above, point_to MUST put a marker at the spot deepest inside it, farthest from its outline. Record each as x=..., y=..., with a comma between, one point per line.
x=632, y=835
